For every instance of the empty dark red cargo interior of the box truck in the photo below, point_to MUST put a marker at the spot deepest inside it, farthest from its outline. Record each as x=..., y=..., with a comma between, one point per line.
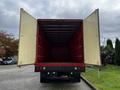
x=59, y=41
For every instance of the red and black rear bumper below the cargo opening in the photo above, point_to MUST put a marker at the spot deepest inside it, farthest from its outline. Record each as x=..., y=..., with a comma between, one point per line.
x=59, y=67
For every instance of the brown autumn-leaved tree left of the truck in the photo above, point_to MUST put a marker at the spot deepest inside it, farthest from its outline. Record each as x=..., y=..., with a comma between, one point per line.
x=9, y=43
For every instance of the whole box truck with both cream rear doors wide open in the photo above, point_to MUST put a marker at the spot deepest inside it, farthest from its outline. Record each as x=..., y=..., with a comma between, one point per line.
x=59, y=48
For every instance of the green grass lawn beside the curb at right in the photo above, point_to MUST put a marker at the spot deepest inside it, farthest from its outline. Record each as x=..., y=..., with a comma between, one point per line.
x=108, y=79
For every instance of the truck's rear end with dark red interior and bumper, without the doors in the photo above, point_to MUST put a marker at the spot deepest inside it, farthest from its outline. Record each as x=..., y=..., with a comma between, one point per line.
x=59, y=52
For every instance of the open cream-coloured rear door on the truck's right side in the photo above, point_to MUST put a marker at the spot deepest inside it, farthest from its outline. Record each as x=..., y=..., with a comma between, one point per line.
x=92, y=39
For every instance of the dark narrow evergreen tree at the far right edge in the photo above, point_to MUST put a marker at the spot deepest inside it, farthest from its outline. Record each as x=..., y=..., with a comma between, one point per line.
x=117, y=51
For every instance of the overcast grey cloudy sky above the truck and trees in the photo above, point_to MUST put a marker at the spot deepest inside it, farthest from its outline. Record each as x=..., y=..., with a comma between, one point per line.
x=109, y=13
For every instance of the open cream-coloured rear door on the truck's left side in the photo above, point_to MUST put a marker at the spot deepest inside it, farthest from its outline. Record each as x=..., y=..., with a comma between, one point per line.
x=27, y=43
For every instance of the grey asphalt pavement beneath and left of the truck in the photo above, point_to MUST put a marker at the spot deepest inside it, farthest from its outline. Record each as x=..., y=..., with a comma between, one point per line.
x=24, y=78
